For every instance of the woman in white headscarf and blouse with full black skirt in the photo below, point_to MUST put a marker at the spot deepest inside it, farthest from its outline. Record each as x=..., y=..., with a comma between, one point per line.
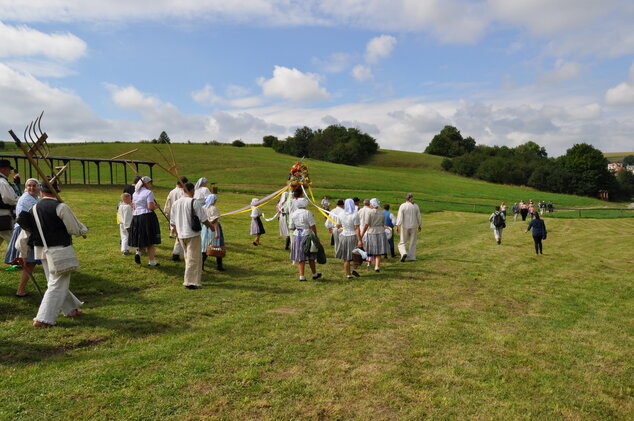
x=145, y=232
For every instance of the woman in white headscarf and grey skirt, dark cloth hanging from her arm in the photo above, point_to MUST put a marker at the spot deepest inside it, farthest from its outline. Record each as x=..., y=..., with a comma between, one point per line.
x=302, y=223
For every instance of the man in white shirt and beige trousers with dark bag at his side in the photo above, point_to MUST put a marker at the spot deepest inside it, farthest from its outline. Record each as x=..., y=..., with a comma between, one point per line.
x=182, y=218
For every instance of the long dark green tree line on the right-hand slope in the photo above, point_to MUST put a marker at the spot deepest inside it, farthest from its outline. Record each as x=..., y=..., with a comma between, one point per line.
x=583, y=170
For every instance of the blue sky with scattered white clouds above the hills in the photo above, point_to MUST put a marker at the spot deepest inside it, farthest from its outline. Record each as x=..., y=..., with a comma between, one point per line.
x=503, y=72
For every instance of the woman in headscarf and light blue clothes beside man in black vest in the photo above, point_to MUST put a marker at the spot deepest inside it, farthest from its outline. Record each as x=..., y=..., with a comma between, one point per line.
x=28, y=199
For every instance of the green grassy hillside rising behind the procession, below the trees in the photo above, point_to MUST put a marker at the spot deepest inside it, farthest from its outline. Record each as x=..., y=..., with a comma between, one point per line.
x=259, y=170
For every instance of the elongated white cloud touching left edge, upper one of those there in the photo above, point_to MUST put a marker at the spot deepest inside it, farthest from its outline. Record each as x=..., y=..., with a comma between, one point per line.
x=22, y=41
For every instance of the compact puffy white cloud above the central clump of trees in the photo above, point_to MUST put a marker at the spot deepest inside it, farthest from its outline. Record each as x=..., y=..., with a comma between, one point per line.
x=292, y=84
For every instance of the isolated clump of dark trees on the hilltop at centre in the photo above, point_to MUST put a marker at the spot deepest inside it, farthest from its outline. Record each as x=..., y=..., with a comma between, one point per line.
x=335, y=143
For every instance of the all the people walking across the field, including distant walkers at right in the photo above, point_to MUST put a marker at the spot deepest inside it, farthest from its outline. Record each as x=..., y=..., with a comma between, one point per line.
x=360, y=232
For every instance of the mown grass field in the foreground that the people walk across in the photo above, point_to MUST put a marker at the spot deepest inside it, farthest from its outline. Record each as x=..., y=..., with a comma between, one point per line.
x=469, y=330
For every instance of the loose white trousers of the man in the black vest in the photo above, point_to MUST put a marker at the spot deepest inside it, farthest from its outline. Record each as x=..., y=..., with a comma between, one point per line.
x=57, y=297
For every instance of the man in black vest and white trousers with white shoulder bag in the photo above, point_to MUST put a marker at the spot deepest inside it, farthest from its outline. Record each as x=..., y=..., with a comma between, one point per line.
x=58, y=223
